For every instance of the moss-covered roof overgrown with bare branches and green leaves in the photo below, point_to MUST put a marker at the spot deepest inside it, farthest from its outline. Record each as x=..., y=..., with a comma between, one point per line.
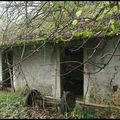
x=63, y=18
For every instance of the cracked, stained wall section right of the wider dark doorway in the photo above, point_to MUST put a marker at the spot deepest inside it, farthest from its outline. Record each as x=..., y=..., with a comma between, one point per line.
x=101, y=84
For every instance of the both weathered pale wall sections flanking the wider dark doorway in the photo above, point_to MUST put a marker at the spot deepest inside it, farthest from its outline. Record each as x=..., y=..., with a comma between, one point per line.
x=42, y=70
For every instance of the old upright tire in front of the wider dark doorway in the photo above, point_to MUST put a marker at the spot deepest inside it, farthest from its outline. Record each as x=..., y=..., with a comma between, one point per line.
x=67, y=102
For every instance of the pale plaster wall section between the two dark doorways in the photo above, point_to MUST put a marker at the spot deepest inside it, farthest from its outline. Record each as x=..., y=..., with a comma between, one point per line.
x=40, y=71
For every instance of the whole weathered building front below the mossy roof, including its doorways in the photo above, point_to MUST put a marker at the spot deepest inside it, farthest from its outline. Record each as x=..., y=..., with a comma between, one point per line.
x=53, y=68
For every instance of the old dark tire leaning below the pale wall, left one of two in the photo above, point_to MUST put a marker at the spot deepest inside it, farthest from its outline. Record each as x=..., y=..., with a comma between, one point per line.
x=32, y=97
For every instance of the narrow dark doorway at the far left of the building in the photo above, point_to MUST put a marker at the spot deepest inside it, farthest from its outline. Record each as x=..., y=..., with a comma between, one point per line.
x=7, y=70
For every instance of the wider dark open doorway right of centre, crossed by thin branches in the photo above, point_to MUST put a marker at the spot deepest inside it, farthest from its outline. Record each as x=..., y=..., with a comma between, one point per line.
x=72, y=80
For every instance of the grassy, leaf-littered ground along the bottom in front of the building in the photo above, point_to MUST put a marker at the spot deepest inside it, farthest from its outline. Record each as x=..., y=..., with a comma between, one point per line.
x=12, y=106
